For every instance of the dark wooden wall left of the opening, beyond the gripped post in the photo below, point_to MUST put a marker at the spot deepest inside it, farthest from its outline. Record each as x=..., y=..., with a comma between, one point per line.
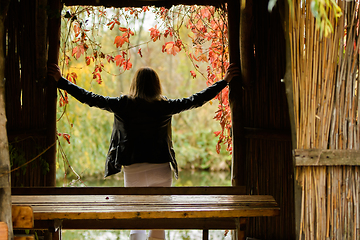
x=25, y=91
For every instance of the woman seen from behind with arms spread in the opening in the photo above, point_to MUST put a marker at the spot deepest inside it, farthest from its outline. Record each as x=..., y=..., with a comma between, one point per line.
x=141, y=137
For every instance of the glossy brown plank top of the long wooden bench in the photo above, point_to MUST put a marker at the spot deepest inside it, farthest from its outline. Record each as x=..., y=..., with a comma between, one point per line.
x=148, y=206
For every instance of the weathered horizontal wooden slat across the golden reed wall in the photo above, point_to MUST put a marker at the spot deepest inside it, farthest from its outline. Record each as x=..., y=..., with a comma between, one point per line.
x=326, y=157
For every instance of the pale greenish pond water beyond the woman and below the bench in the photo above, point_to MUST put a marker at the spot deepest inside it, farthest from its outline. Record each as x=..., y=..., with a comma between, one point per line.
x=186, y=178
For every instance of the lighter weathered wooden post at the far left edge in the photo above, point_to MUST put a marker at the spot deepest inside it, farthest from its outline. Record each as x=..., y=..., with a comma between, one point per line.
x=5, y=182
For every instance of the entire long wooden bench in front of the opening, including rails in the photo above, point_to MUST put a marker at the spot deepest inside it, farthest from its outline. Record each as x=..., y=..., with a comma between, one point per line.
x=143, y=208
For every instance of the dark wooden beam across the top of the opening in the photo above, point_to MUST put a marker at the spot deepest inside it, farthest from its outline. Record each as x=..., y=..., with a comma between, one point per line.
x=130, y=3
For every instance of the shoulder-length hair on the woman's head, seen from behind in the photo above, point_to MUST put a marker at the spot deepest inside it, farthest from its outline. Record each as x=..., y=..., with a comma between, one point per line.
x=146, y=85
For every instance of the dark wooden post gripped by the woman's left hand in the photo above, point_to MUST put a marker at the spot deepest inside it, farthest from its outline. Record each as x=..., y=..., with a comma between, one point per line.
x=53, y=56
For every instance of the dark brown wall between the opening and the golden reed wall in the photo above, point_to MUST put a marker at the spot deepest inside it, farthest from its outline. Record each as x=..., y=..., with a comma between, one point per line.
x=268, y=141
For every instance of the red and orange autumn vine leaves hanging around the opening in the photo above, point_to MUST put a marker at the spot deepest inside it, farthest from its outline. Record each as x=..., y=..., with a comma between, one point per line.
x=209, y=39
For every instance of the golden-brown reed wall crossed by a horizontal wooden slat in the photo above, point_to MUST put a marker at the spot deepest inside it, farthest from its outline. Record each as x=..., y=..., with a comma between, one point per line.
x=325, y=89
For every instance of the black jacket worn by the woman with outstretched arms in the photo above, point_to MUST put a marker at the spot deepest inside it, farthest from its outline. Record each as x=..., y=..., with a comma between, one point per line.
x=142, y=130
